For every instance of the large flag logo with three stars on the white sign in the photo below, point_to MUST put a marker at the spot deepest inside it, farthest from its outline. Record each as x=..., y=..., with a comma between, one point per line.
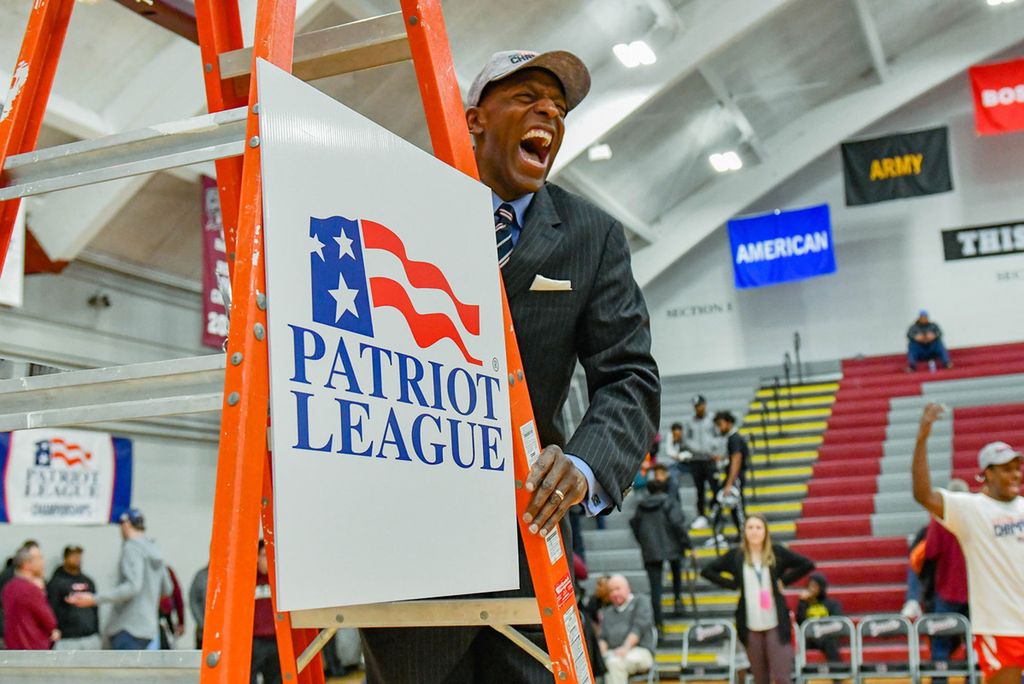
x=345, y=291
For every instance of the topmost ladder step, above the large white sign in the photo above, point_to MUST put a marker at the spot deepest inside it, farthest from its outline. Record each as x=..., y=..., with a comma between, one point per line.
x=342, y=50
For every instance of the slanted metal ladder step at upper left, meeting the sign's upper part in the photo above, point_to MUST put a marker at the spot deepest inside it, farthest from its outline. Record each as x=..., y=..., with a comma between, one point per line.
x=158, y=148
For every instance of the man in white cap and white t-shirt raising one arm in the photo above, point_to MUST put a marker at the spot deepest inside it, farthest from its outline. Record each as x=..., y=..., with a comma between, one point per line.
x=990, y=527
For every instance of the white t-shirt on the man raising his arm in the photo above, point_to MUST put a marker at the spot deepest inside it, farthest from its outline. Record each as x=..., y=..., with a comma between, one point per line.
x=992, y=535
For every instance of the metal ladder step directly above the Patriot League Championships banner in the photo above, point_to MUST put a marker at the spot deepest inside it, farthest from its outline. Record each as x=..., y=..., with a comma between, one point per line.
x=123, y=393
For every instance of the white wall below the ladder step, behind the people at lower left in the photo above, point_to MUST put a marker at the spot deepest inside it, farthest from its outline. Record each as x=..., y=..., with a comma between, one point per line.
x=173, y=484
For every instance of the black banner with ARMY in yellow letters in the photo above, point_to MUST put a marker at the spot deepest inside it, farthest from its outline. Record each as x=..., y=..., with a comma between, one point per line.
x=898, y=166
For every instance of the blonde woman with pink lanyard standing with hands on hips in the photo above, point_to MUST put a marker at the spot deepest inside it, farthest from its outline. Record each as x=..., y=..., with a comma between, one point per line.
x=760, y=570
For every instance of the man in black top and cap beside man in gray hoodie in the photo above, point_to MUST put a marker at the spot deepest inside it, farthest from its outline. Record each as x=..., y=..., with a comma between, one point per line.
x=79, y=627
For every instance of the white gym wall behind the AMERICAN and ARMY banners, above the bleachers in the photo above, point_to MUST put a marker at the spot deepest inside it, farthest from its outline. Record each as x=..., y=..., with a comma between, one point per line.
x=889, y=256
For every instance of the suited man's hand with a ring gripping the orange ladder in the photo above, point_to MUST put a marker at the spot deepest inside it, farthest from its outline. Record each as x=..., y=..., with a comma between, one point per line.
x=558, y=486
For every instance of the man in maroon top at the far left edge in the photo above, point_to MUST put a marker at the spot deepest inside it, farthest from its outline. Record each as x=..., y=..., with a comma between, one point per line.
x=29, y=620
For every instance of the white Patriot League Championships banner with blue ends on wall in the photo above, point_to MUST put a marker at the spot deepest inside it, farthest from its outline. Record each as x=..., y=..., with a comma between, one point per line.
x=64, y=478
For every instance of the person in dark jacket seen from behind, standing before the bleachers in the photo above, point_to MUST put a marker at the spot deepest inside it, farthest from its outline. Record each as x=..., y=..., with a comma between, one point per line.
x=660, y=528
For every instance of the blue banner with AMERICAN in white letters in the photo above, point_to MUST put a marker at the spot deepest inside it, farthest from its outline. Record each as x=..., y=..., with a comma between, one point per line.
x=783, y=246
